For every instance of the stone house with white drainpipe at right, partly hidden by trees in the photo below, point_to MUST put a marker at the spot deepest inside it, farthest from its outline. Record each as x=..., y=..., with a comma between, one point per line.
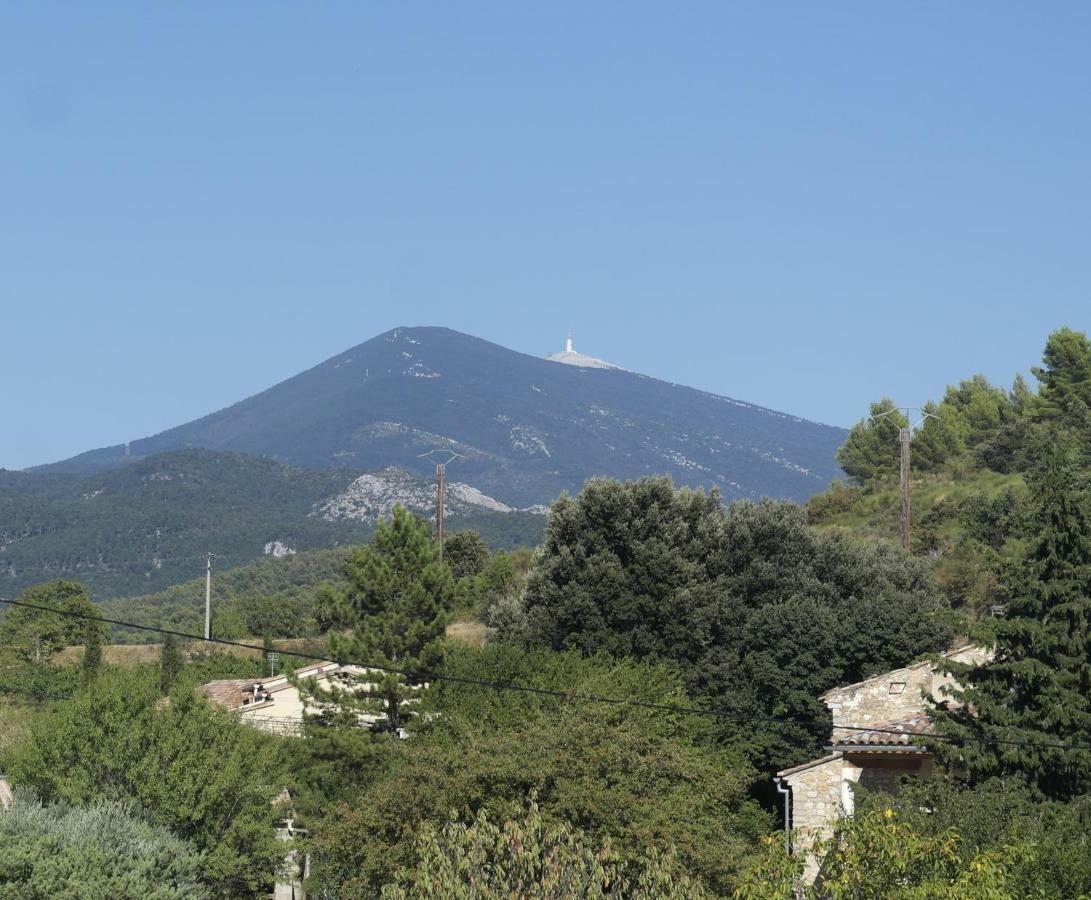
x=895, y=705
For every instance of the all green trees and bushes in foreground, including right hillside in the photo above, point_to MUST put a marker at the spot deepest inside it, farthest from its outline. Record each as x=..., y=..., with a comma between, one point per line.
x=513, y=774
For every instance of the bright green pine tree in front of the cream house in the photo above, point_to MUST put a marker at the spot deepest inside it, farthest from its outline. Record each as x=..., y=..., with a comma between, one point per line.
x=395, y=601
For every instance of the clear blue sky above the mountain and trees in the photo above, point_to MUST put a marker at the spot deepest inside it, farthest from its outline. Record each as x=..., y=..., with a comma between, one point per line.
x=805, y=206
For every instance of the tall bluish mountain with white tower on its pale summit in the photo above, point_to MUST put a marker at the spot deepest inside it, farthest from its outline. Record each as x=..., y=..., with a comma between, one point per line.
x=525, y=429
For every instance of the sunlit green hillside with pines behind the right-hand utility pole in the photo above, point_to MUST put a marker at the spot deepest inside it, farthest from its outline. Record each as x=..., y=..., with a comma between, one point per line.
x=970, y=457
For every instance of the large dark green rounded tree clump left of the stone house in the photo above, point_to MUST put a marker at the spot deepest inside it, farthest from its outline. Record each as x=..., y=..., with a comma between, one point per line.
x=761, y=614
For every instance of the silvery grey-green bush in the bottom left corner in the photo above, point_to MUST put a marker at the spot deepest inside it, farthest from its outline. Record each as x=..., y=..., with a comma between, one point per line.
x=101, y=850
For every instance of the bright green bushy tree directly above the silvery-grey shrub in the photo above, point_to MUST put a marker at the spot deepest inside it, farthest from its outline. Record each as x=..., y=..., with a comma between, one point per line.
x=193, y=767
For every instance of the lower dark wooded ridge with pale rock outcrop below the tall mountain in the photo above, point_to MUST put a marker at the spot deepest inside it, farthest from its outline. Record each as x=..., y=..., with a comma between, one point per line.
x=143, y=527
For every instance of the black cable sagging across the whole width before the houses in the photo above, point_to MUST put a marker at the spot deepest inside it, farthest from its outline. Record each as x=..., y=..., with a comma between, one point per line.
x=546, y=692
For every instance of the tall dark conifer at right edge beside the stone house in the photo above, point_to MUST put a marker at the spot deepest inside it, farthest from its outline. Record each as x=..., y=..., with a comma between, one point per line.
x=1027, y=714
